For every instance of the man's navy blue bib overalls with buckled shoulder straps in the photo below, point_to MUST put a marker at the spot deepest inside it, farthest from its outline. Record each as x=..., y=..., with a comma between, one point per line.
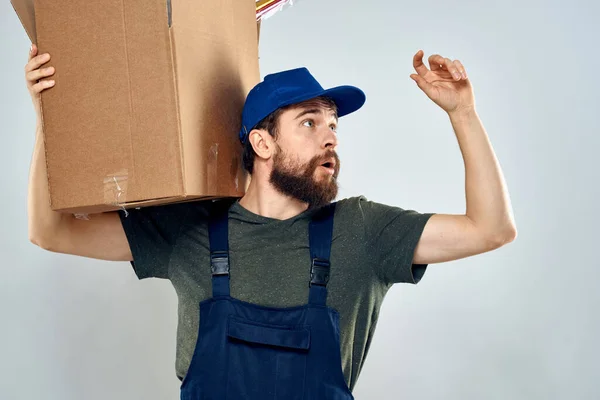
x=245, y=351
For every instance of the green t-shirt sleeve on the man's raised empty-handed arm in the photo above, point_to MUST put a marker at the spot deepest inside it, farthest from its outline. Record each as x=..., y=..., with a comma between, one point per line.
x=392, y=235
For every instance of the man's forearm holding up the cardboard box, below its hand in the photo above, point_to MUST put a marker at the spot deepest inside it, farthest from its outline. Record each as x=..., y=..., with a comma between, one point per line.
x=42, y=221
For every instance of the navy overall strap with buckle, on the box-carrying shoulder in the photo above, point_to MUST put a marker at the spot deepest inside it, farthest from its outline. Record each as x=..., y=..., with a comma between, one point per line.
x=218, y=233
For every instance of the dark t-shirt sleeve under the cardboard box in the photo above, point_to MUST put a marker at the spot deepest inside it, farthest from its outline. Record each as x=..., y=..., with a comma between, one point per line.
x=152, y=233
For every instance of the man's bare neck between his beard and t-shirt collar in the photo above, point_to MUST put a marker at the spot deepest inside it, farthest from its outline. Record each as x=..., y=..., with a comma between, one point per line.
x=263, y=199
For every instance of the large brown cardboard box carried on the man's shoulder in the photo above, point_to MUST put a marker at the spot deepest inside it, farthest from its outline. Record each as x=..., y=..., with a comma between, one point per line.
x=148, y=98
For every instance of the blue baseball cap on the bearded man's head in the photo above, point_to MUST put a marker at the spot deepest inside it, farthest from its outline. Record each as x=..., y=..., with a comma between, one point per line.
x=291, y=87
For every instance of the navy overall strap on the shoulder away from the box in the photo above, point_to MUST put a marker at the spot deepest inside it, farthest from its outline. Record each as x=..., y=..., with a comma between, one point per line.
x=320, y=233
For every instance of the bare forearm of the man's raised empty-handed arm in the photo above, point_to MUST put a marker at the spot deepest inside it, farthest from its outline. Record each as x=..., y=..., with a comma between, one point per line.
x=488, y=201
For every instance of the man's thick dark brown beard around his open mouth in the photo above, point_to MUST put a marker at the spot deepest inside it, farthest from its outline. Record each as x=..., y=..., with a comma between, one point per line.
x=298, y=181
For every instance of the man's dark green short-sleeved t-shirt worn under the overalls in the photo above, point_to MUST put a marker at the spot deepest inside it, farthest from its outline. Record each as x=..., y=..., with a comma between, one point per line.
x=372, y=248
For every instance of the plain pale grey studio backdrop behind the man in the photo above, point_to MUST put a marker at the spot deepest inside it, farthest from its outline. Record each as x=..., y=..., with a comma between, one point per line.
x=518, y=323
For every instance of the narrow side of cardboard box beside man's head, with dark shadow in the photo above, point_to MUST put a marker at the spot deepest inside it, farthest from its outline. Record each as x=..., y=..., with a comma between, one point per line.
x=226, y=42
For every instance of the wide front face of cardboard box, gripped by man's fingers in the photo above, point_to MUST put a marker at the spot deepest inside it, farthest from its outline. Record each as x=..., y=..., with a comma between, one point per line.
x=112, y=113
